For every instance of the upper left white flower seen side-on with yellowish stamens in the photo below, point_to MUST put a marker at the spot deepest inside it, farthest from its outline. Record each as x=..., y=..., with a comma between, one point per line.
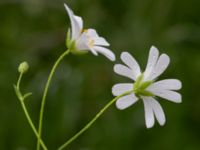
x=87, y=39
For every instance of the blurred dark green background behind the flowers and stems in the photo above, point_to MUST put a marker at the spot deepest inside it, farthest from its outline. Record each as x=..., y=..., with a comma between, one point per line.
x=34, y=30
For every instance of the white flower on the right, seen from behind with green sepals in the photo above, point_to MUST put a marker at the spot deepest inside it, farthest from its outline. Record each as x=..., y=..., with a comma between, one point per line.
x=145, y=87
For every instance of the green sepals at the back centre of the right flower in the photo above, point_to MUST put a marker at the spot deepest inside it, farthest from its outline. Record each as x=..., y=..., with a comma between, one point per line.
x=140, y=87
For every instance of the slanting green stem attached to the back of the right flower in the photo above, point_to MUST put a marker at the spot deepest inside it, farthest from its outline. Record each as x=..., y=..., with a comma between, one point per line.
x=92, y=121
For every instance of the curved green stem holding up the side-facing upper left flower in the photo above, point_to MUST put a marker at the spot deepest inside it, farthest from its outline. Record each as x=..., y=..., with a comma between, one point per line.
x=45, y=94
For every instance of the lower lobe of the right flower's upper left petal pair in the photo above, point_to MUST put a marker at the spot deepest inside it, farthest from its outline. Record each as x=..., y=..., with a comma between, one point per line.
x=124, y=71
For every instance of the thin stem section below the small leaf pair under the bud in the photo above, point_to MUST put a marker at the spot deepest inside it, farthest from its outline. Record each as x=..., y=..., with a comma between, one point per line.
x=32, y=125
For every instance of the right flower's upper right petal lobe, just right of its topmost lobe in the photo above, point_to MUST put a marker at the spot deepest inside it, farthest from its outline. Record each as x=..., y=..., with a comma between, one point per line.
x=161, y=66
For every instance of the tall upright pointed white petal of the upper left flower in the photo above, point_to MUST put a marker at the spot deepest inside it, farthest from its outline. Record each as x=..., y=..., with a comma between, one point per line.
x=75, y=23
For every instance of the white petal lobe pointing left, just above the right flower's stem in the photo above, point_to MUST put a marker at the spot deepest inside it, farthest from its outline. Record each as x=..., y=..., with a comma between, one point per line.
x=121, y=88
